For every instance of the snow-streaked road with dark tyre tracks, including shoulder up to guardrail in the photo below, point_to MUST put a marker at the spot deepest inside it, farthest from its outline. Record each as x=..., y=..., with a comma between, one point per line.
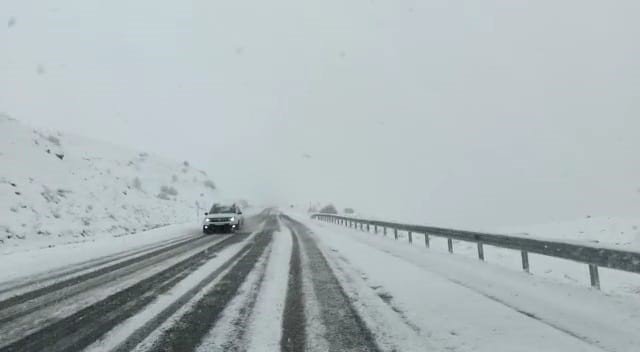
x=291, y=284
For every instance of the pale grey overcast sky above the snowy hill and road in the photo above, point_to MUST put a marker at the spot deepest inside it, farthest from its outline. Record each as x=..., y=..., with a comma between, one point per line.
x=460, y=113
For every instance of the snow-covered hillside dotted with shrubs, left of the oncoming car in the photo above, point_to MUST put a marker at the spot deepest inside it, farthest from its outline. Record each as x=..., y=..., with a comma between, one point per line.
x=58, y=188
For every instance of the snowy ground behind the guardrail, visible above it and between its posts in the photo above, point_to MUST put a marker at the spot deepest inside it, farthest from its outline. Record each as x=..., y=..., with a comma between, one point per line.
x=605, y=232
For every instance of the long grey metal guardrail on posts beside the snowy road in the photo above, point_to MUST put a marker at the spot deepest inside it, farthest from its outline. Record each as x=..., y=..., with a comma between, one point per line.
x=593, y=256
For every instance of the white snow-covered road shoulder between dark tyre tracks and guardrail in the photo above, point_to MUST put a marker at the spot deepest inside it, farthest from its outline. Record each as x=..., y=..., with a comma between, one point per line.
x=460, y=303
